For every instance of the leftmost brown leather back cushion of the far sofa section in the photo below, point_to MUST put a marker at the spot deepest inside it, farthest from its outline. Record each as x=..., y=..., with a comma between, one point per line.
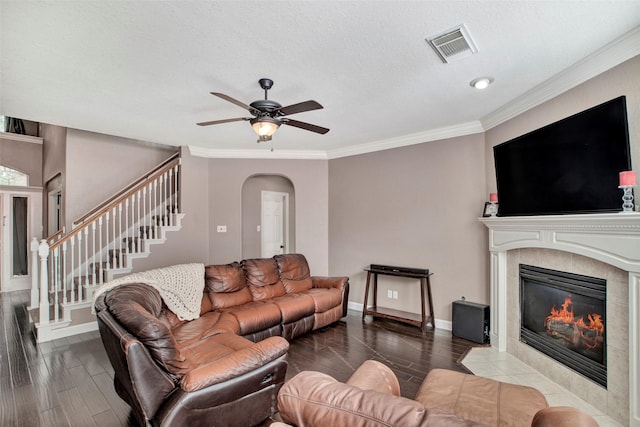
x=225, y=285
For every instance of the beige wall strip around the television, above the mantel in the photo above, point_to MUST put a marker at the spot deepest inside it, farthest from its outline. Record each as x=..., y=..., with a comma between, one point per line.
x=621, y=80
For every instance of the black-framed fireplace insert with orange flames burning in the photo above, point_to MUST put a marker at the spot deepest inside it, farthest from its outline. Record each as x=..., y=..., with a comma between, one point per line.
x=563, y=316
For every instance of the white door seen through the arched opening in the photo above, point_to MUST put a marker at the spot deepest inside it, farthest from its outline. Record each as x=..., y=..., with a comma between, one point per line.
x=275, y=223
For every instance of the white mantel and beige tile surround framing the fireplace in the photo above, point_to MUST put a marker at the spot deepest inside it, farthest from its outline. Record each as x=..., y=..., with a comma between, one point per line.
x=599, y=245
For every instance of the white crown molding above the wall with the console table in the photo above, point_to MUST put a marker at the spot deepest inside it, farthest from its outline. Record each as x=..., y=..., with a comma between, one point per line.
x=462, y=129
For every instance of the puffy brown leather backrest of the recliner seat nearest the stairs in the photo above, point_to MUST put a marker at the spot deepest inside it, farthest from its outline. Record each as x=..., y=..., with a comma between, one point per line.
x=137, y=307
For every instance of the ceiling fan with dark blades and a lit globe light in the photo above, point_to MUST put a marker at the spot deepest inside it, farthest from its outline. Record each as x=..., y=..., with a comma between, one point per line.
x=268, y=115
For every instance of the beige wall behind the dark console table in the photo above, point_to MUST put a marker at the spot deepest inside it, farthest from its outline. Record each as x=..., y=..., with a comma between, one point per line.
x=417, y=207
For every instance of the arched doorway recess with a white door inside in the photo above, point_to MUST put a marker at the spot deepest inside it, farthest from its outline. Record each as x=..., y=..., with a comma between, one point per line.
x=268, y=216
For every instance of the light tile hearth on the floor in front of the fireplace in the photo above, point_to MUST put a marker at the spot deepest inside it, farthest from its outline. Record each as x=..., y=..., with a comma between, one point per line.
x=490, y=363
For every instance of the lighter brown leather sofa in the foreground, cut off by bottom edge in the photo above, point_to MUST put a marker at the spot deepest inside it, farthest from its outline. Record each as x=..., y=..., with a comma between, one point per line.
x=371, y=397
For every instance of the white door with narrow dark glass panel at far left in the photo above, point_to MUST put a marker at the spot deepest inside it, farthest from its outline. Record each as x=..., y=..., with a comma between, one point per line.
x=21, y=221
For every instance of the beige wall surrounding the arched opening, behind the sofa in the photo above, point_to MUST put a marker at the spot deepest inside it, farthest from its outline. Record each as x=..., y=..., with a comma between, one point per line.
x=310, y=182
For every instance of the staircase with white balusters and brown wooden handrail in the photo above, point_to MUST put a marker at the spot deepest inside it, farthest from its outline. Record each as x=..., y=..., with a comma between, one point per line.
x=69, y=267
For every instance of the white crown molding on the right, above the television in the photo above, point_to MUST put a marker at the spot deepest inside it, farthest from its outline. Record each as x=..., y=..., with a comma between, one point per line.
x=603, y=59
